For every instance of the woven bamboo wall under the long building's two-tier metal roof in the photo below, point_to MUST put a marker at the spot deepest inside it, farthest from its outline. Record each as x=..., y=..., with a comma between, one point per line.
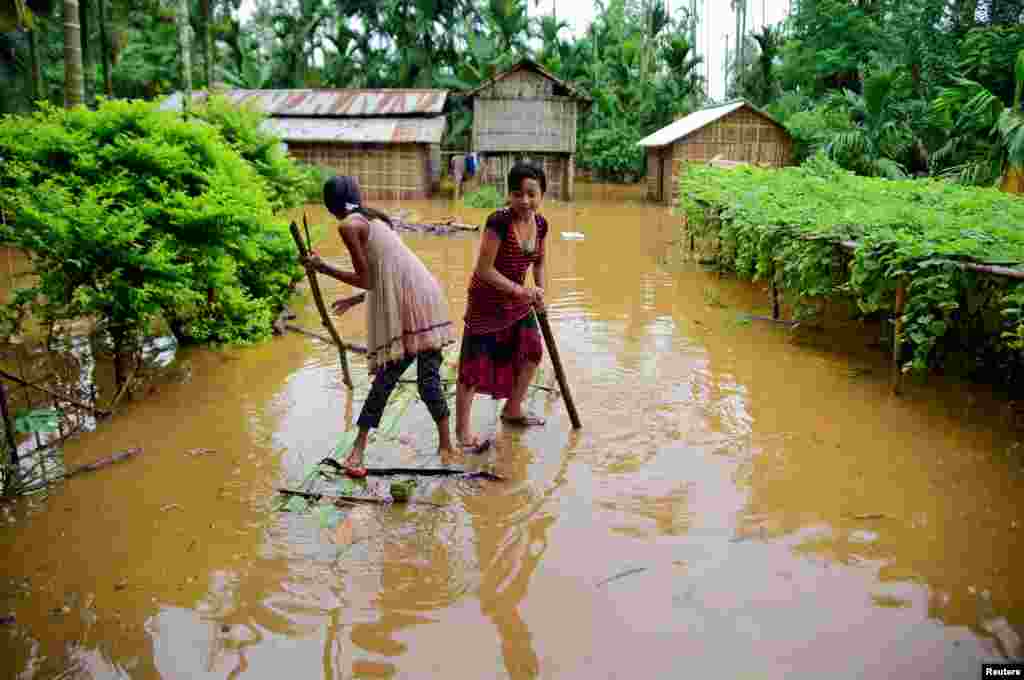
x=386, y=172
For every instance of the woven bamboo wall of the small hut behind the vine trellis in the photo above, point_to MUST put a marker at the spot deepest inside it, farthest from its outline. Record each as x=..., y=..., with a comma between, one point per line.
x=743, y=136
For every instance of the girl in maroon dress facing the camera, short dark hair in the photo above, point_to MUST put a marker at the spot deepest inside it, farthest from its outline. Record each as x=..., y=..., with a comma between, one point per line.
x=502, y=346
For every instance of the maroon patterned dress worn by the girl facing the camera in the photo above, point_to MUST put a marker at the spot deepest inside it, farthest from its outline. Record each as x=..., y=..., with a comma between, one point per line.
x=502, y=332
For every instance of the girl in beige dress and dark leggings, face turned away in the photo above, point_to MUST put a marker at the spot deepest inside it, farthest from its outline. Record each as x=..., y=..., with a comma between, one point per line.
x=407, y=313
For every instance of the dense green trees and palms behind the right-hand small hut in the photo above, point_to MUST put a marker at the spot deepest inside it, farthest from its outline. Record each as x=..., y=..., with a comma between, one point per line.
x=897, y=89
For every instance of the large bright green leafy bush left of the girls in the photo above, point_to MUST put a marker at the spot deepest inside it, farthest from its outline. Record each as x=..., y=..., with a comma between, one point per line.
x=131, y=215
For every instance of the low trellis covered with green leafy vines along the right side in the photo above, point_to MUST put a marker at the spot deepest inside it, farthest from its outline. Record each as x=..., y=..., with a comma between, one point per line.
x=789, y=225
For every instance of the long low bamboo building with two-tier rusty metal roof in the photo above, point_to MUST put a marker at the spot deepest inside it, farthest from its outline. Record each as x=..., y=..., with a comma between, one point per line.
x=390, y=140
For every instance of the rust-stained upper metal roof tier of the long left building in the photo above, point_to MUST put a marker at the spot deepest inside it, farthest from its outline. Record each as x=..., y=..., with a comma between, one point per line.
x=331, y=103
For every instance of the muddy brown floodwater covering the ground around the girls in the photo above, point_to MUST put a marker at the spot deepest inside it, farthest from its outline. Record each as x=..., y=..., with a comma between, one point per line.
x=742, y=497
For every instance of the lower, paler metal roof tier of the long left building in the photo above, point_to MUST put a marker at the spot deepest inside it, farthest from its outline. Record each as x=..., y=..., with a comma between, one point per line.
x=369, y=131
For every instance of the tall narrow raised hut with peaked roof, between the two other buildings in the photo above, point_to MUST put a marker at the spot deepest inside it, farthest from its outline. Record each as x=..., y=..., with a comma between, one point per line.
x=527, y=114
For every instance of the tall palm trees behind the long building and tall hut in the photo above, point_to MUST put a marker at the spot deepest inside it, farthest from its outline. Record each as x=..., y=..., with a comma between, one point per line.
x=636, y=61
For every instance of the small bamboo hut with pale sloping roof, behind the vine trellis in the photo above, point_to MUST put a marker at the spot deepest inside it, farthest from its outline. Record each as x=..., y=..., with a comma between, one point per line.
x=733, y=133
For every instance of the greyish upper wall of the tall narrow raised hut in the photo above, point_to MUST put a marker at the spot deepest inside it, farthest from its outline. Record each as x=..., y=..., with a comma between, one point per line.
x=521, y=113
